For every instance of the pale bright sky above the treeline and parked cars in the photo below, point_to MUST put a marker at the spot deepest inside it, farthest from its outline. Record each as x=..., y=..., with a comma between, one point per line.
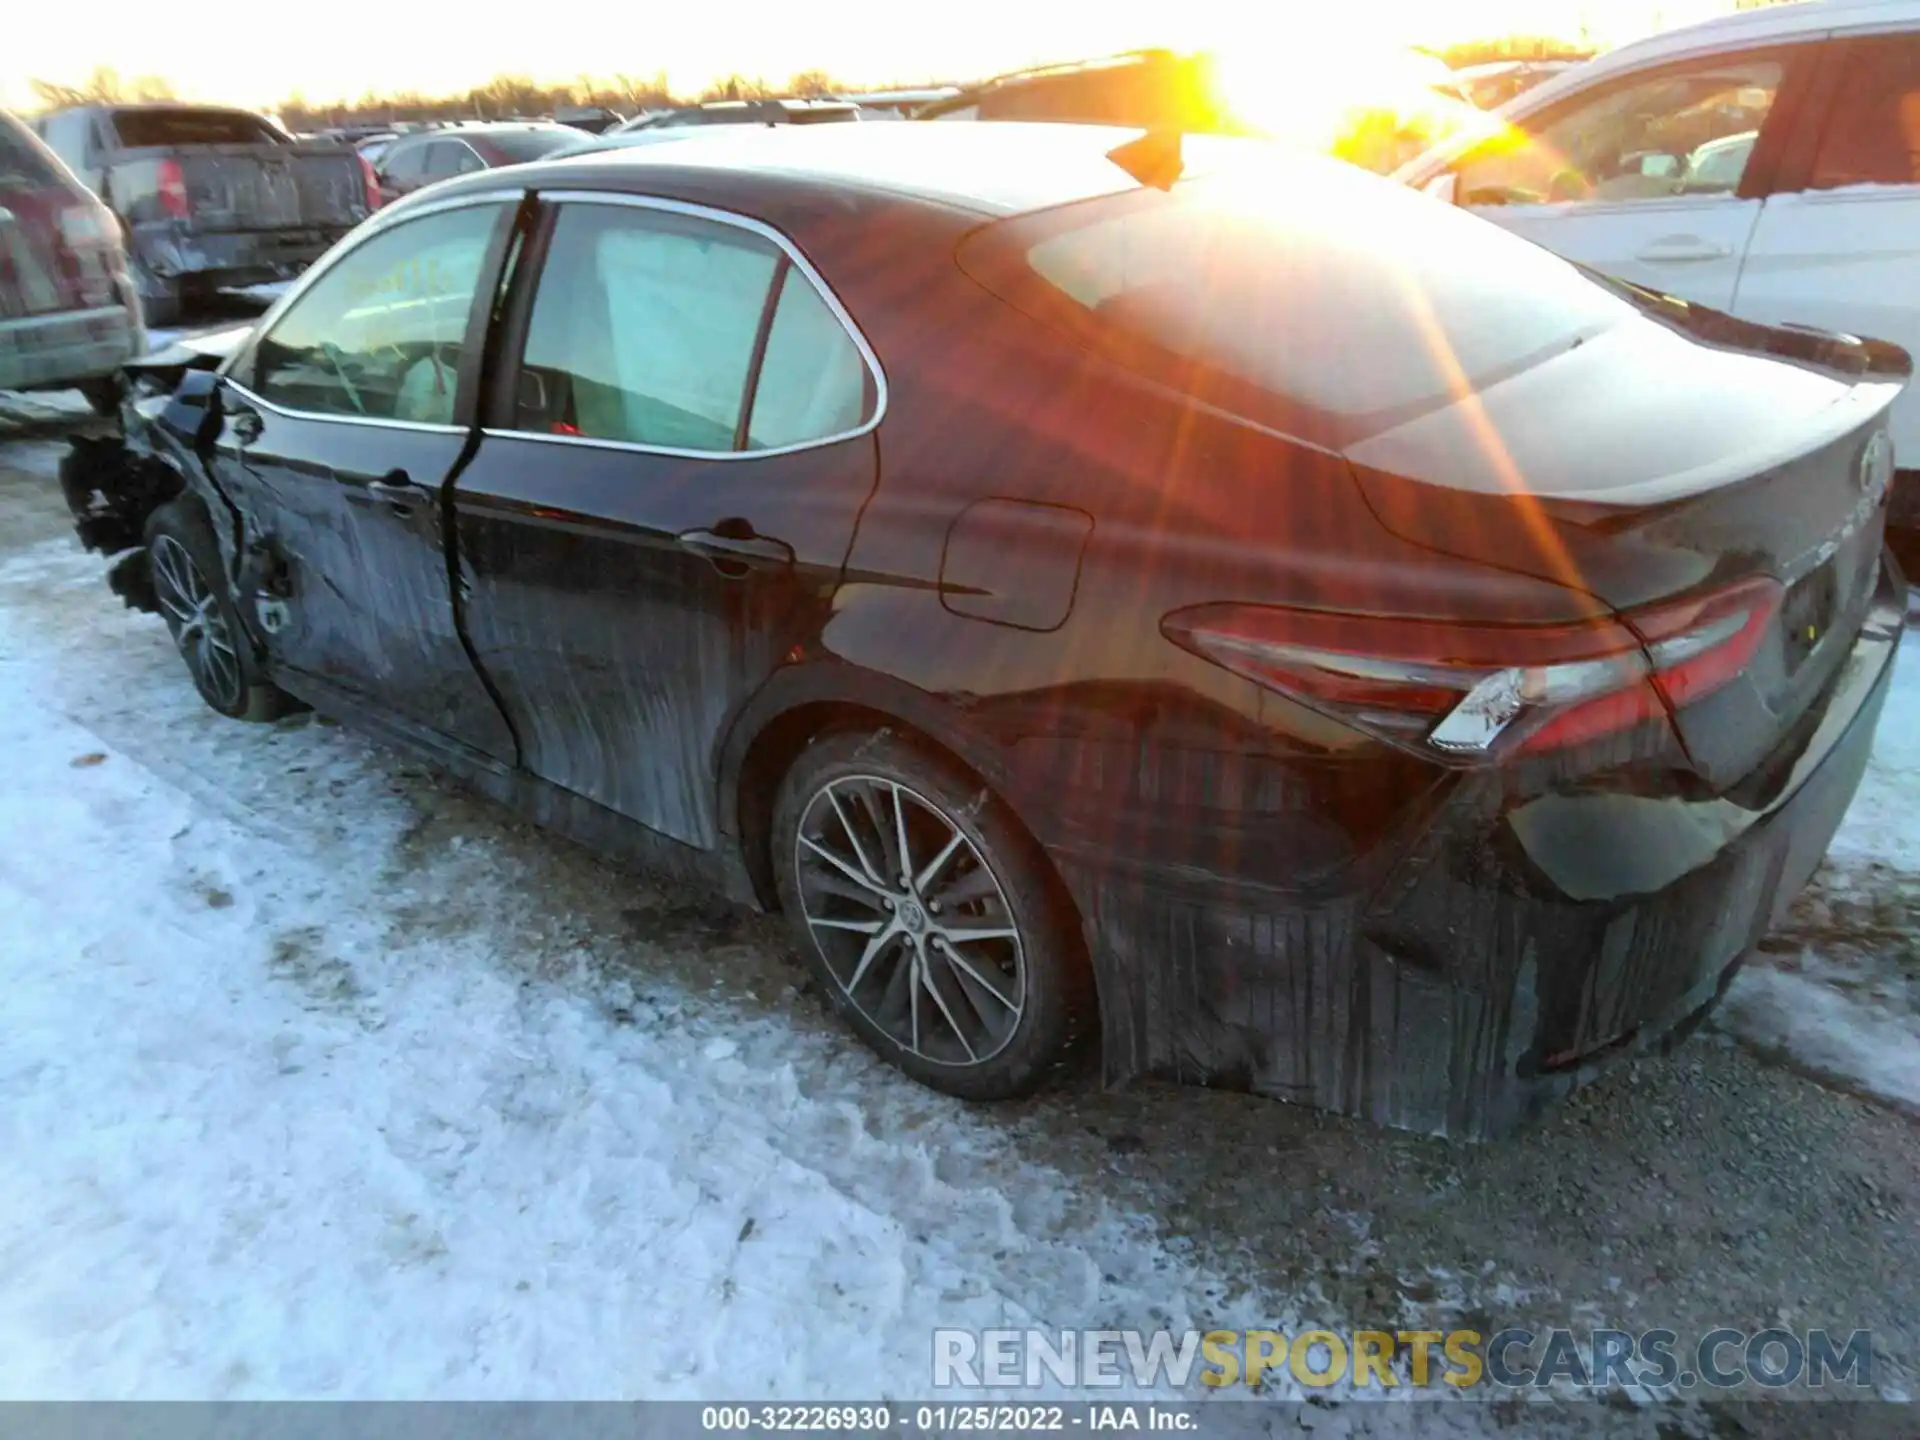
x=208, y=53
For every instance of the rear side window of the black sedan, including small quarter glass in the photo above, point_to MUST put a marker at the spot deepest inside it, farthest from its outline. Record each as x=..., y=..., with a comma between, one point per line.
x=646, y=331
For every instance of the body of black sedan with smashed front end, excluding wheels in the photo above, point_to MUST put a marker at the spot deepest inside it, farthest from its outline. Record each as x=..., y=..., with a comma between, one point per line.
x=1383, y=748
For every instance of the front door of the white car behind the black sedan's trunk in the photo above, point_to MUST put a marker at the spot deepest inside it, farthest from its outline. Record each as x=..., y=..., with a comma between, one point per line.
x=1654, y=178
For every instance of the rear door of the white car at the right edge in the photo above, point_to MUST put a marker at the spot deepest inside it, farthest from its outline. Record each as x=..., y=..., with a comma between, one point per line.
x=1838, y=245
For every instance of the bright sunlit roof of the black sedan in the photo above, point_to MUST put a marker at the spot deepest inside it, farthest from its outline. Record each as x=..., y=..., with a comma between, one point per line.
x=996, y=168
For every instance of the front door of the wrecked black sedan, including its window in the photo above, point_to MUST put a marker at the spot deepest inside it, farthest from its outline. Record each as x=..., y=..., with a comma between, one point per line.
x=339, y=431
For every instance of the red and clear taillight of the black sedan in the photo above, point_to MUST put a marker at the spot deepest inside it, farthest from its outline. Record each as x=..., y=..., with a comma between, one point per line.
x=1477, y=692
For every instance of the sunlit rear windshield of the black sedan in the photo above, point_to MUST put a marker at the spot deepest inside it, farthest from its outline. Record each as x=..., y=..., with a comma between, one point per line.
x=1314, y=285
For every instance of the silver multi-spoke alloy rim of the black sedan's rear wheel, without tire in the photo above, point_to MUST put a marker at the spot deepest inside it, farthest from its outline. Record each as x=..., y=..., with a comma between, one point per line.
x=911, y=921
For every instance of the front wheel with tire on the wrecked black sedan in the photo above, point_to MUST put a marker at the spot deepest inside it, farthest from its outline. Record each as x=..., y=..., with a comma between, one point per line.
x=195, y=602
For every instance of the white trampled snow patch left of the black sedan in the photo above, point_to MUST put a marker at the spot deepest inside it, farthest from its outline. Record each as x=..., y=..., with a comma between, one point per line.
x=241, y=1051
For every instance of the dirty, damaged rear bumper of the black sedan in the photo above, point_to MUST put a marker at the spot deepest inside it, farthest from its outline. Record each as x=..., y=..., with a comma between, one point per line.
x=1512, y=951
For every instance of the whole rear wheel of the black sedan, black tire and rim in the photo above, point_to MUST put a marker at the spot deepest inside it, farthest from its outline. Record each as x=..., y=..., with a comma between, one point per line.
x=969, y=1040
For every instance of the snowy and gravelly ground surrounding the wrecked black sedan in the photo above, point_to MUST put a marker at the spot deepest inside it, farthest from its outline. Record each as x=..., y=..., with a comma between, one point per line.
x=325, y=1080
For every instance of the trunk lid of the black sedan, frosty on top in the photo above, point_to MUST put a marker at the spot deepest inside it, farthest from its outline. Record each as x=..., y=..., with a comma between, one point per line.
x=1646, y=468
